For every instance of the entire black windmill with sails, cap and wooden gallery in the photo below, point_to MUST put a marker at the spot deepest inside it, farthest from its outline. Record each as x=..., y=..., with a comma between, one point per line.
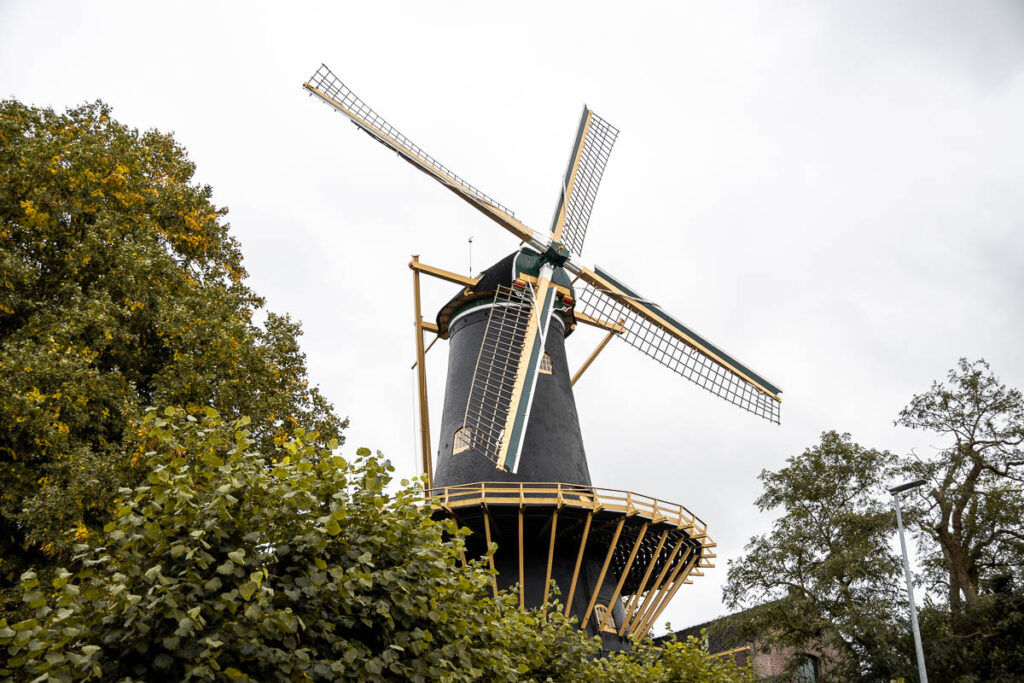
x=511, y=463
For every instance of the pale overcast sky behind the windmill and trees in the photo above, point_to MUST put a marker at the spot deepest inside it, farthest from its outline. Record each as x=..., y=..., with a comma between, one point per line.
x=831, y=192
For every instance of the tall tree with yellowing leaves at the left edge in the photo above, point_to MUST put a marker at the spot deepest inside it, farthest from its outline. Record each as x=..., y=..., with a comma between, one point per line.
x=120, y=288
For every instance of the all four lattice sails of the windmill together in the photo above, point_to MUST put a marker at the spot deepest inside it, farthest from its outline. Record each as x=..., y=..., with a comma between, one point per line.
x=505, y=376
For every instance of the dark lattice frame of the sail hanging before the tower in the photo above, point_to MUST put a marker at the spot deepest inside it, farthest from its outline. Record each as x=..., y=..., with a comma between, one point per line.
x=497, y=366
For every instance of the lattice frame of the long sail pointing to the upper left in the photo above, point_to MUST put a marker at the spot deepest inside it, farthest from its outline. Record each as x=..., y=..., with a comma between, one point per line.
x=371, y=122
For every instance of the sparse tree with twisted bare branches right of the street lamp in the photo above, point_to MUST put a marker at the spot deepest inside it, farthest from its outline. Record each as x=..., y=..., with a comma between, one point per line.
x=973, y=506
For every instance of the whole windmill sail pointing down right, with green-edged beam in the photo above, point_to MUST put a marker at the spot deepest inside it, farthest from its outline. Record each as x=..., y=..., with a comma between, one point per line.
x=653, y=331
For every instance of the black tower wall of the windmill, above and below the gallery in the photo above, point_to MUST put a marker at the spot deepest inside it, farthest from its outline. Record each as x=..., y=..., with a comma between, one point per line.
x=552, y=452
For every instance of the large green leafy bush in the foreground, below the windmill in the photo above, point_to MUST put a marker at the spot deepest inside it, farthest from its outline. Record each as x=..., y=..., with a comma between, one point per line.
x=221, y=566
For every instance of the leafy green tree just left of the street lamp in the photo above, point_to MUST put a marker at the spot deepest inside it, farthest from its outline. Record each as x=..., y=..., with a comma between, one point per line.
x=825, y=575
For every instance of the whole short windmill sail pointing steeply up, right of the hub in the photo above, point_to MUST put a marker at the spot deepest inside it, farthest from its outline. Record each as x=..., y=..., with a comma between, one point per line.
x=590, y=155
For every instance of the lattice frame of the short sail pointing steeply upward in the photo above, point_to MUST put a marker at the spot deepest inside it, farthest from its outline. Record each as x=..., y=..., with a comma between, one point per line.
x=593, y=157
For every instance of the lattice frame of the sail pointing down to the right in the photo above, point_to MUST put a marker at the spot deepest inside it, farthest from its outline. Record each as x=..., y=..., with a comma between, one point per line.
x=678, y=356
